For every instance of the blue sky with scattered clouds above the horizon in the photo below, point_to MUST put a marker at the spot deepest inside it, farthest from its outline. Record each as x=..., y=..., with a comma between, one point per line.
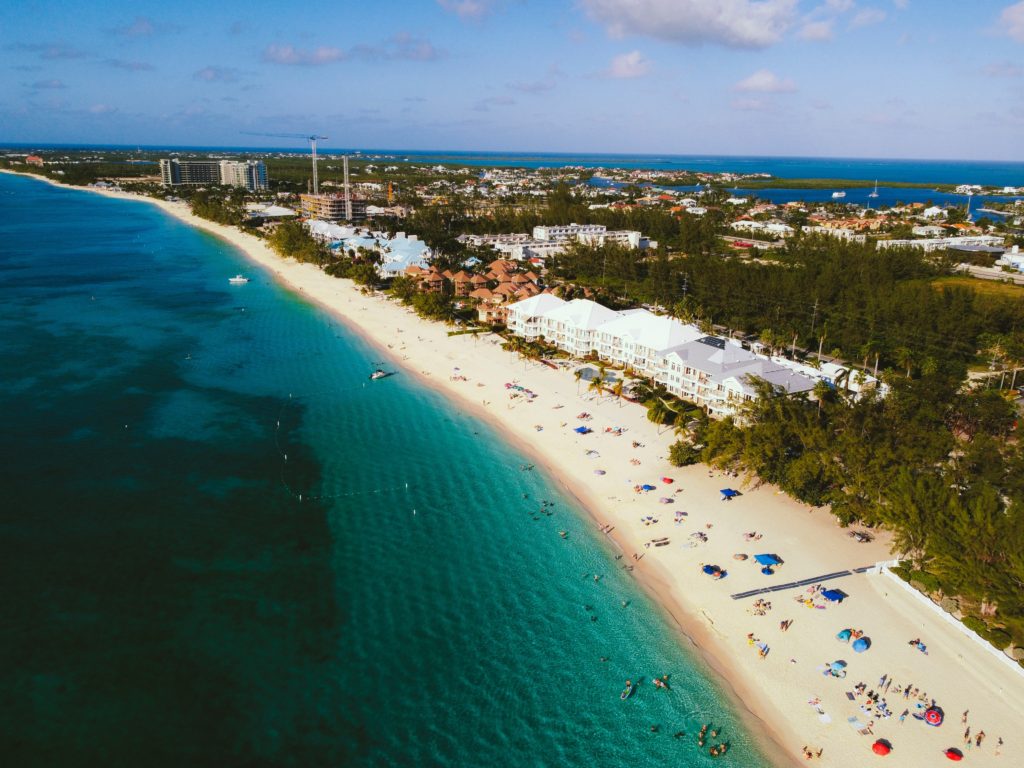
x=852, y=78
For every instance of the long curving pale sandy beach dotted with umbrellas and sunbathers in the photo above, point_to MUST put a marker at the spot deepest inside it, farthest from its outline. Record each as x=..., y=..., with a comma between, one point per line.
x=957, y=672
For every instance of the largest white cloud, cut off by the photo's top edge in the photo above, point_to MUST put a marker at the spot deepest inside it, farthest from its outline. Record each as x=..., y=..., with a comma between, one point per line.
x=739, y=24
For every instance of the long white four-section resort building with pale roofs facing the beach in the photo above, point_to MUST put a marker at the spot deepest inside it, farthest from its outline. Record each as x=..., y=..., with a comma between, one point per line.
x=714, y=373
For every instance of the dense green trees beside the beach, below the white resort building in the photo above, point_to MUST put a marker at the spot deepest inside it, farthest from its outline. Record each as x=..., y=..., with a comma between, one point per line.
x=938, y=466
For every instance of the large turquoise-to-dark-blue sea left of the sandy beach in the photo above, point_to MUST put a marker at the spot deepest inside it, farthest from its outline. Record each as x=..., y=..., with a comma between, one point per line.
x=169, y=601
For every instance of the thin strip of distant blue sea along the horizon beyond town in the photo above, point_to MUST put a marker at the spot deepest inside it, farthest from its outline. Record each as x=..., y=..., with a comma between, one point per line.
x=986, y=173
